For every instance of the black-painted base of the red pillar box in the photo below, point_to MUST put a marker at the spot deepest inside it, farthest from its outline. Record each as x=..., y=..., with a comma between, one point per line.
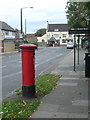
x=28, y=91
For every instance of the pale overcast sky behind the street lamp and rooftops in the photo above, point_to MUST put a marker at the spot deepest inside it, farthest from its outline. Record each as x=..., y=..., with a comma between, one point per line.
x=36, y=17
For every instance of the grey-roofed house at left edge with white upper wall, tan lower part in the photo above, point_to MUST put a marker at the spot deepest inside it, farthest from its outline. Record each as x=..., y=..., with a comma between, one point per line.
x=7, y=37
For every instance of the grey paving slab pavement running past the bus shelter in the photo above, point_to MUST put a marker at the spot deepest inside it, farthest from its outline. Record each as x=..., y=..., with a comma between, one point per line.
x=69, y=99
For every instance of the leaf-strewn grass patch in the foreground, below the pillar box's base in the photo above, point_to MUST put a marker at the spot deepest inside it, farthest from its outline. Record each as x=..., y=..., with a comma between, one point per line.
x=19, y=108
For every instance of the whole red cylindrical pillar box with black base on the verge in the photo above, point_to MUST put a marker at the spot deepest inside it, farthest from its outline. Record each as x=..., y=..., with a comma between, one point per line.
x=28, y=71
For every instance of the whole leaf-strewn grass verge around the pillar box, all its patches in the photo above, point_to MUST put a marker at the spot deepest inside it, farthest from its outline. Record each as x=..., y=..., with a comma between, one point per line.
x=23, y=108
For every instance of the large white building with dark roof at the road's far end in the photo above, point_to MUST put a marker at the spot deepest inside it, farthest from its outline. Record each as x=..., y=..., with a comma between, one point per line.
x=59, y=31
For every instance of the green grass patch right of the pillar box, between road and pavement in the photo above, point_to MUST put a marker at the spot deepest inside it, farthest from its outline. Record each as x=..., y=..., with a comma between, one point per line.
x=45, y=83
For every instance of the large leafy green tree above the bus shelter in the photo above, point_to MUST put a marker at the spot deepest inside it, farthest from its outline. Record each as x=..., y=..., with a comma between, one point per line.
x=77, y=13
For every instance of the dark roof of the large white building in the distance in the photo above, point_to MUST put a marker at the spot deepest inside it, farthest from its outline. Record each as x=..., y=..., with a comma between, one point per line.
x=57, y=27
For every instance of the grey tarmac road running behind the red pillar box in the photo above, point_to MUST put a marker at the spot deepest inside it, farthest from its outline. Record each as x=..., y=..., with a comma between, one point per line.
x=46, y=59
